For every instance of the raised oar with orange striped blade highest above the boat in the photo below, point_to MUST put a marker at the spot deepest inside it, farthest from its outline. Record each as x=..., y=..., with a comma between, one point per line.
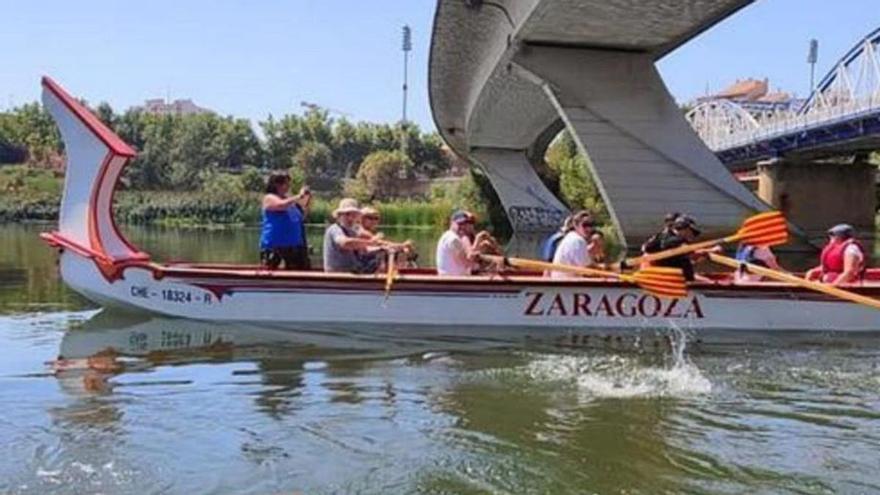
x=764, y=229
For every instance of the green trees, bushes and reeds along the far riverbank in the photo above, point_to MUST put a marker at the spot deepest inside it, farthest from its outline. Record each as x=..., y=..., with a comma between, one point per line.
x=208, y=169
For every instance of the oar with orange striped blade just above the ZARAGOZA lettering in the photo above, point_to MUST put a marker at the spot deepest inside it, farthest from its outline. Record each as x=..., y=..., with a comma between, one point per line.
x=660, y=281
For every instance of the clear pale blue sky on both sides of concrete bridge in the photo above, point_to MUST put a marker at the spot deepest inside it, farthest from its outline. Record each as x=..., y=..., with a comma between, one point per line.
x=252, y=59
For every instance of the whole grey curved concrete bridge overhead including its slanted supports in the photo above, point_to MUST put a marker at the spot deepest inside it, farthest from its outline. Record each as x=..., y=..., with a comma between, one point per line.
x=504, y=74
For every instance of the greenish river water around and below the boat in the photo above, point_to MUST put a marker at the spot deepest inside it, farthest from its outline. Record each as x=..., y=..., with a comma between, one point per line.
x=100, y=403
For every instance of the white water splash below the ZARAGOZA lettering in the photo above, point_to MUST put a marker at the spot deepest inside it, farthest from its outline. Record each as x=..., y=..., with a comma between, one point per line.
x=596, y=376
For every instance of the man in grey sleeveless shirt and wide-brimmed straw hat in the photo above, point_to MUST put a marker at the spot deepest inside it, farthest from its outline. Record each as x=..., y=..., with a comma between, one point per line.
x=342, y=244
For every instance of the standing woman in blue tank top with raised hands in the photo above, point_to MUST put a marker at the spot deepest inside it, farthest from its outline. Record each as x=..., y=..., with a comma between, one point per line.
x=282, y=238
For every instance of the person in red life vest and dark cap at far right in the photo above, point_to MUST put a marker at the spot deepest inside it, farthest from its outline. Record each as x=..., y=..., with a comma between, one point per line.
x=842, y=260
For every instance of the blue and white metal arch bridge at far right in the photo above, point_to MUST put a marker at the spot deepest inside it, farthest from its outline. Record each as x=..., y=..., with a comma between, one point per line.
x=841, y=117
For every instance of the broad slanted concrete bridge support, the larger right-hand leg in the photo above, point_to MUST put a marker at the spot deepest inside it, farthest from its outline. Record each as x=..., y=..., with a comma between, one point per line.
x=644, y=156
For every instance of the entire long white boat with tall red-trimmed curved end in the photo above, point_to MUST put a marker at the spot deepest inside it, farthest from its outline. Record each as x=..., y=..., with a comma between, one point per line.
x=98, y=262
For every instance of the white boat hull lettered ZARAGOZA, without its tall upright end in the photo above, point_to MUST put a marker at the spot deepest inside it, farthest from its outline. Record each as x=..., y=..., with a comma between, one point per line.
x=477, y=306
